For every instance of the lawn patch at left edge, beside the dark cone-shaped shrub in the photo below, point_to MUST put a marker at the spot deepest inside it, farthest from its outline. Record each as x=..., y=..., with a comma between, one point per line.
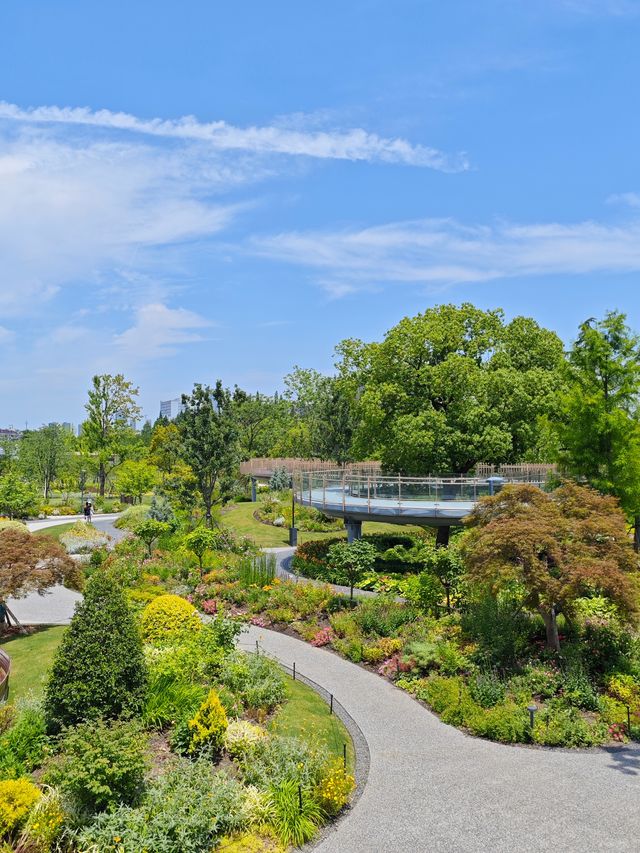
x=31, y=658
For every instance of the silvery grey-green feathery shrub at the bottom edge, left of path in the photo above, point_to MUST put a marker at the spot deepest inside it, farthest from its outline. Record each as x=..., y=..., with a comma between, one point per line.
x=186, y=810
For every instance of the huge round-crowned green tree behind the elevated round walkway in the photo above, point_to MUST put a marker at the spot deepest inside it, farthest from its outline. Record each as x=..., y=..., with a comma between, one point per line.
x=451, y=387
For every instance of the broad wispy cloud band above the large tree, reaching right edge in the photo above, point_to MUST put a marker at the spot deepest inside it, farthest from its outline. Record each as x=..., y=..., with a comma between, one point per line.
x=438, y=253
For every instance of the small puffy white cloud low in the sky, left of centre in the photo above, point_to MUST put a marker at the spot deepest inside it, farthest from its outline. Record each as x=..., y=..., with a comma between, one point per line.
x=158, y=330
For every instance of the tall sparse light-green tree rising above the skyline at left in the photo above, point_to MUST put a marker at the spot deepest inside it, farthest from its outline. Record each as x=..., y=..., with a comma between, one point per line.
x=111, y=407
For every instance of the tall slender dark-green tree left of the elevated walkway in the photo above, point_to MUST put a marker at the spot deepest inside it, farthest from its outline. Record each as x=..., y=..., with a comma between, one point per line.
x=209, y=439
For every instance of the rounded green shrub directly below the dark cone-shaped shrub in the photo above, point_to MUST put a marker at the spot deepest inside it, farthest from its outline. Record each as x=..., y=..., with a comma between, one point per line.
x=101, y=765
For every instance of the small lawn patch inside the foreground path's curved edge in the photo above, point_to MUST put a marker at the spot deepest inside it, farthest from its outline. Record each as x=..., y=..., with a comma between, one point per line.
x=306, y=715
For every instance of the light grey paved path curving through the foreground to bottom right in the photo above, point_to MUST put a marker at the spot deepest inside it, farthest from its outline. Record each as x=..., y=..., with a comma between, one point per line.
x=431, y=788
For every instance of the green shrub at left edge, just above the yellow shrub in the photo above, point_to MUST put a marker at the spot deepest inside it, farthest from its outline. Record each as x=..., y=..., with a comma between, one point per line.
x=24, y=746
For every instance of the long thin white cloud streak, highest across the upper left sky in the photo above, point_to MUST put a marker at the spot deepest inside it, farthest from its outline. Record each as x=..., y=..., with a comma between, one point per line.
x=352, y=144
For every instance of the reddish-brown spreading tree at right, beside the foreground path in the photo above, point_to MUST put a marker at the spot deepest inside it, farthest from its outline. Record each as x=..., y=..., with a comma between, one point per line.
x=551, y=549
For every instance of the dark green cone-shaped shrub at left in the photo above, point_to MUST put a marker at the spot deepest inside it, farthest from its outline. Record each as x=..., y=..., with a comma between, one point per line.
x=98, y=669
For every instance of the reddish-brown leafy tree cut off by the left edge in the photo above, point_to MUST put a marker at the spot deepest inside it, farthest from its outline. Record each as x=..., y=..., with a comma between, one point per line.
x=32, y=564
